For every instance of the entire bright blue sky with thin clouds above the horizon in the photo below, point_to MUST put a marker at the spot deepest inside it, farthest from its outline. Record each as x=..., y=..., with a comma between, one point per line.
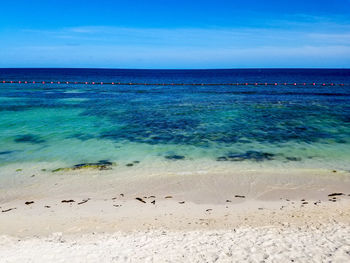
x=175, y=34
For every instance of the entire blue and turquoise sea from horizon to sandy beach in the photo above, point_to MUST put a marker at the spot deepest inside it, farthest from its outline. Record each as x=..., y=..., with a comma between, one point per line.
x=285, y=126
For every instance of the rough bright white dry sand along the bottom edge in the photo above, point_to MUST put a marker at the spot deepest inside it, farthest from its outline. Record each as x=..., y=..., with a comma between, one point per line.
x=325, y=243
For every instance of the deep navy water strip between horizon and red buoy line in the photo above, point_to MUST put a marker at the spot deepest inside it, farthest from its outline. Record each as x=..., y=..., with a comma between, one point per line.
x=179, y=76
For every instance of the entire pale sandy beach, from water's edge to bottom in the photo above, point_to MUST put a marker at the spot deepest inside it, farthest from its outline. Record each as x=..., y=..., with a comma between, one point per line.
x=94, y=216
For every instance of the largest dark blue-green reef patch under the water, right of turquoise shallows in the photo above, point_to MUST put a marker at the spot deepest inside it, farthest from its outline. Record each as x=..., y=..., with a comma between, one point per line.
x=199, y=123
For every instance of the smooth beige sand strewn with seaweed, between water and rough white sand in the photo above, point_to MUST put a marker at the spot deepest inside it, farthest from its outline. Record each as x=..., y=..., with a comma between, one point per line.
x=101, y=200
